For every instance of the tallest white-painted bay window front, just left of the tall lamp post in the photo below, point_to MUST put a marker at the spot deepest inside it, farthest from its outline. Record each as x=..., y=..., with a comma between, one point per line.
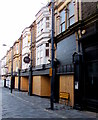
x=42, y=36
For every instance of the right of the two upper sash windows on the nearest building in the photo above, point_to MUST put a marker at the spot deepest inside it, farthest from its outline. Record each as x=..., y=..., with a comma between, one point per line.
x=70, y=14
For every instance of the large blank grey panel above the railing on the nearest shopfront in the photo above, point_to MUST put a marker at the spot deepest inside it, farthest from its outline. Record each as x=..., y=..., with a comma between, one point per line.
x=65, y=50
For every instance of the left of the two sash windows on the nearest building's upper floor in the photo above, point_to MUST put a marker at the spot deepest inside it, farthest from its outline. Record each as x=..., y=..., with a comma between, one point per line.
x=62, y=21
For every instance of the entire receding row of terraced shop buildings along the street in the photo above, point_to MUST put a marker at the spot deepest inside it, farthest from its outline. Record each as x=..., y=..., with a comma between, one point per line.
x=76, y=52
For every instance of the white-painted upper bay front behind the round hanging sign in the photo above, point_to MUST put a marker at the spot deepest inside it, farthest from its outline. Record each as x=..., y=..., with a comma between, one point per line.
x=26, y=38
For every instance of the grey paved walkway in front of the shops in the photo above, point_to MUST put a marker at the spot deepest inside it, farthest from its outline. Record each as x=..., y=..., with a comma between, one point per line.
x=20, y=105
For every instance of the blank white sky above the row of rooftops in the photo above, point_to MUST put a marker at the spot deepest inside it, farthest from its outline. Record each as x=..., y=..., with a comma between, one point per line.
x=15, y=15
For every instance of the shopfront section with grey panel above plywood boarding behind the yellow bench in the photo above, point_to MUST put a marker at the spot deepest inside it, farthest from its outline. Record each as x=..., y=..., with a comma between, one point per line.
x=66, y=47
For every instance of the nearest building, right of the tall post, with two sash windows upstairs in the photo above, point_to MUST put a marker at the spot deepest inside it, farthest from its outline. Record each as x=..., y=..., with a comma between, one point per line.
x=73, y=21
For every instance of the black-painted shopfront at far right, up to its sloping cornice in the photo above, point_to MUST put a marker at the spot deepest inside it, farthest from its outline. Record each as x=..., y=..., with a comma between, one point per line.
x=86, y=96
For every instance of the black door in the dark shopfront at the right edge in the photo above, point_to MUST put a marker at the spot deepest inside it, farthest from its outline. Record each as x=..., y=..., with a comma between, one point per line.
x=91, y=76
